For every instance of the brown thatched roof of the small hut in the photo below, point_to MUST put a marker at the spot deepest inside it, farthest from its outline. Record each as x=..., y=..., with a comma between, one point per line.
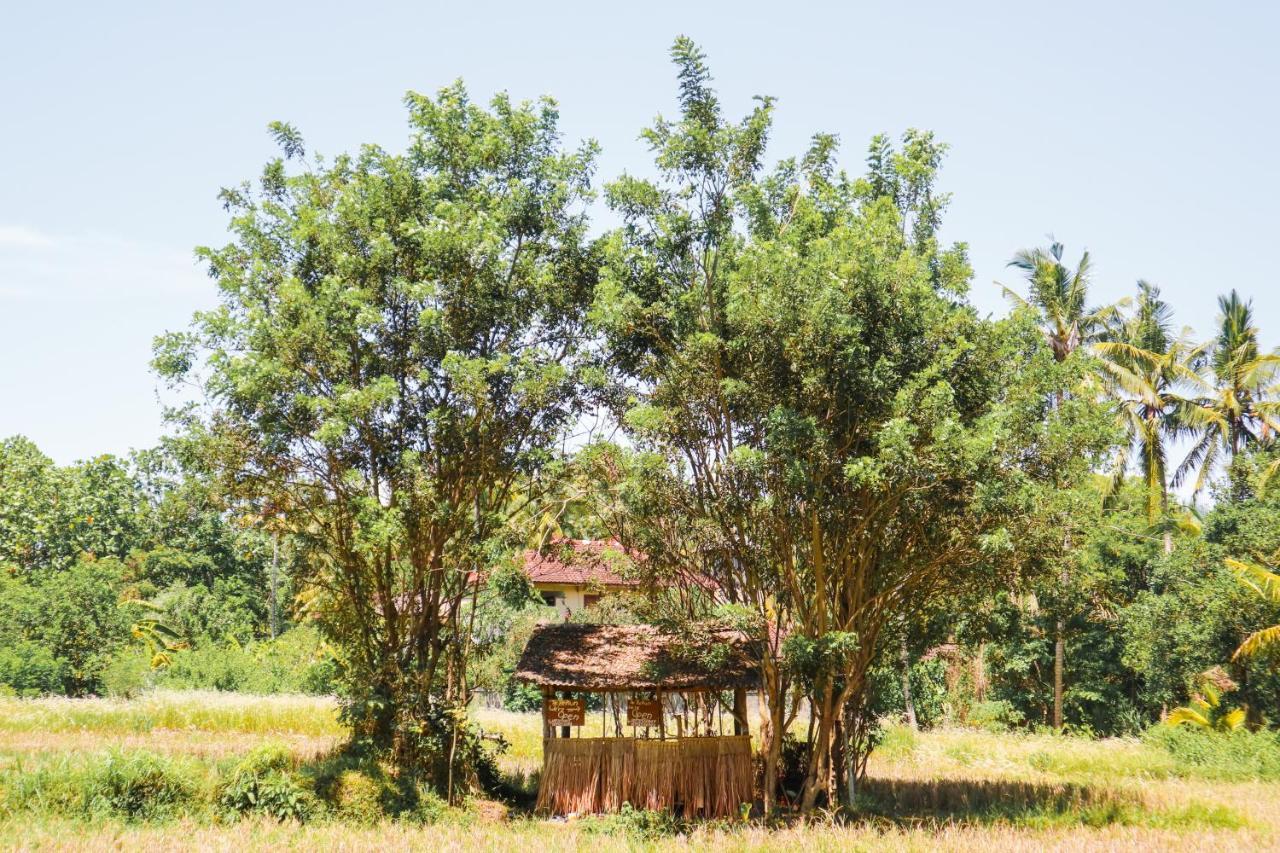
x=621, y=658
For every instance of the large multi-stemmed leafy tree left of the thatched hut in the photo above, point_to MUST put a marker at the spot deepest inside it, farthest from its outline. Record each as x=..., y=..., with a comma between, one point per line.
x=399, y=343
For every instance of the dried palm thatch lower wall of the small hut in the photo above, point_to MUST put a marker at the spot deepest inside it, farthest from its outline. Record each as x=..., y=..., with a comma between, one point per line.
x=696, y=777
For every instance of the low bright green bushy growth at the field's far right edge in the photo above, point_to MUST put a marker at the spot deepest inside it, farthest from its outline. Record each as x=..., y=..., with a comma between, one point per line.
x=1231, y=756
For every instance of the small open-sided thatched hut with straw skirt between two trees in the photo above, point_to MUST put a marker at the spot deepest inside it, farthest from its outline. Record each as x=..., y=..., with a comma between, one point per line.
x=673, y=732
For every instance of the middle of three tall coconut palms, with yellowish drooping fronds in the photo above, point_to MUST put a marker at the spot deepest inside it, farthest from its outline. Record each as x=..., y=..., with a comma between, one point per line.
x=1148, y=371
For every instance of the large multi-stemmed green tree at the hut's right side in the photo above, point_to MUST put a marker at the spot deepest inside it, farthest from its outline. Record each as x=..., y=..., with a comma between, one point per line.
x=838, y=436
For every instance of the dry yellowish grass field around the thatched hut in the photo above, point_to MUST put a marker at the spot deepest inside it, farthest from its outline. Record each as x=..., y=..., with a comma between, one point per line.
x=945, y=790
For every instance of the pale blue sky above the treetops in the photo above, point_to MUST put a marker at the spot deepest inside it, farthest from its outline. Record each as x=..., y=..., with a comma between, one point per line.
x=1145, y=133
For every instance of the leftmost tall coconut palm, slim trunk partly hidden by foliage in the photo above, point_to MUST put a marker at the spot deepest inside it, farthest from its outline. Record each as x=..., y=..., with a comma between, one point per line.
x=1060, y=295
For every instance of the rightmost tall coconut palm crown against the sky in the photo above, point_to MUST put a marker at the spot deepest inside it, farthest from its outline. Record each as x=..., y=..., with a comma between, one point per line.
x=1241, y=395
